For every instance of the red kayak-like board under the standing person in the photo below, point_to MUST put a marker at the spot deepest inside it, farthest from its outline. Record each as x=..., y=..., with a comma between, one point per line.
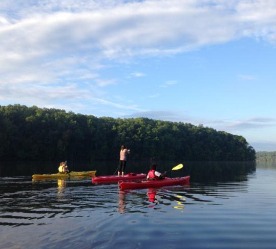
x=115, y=179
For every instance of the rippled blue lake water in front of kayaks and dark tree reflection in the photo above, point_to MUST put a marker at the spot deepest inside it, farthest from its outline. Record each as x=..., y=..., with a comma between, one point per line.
x=77, y=214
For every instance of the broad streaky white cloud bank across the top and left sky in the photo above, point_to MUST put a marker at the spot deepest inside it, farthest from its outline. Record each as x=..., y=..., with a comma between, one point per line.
x=57, y=49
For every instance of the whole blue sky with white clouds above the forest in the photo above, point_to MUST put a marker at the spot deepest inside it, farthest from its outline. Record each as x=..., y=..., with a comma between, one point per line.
x=203, y=62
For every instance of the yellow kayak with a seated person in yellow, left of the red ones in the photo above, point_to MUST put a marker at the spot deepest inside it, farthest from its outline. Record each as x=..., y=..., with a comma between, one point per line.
x=72, y=174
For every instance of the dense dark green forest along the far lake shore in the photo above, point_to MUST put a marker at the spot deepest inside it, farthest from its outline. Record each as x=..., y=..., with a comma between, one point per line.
x=35, y=134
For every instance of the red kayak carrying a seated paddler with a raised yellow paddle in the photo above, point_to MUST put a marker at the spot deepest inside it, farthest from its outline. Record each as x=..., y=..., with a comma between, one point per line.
x=155, y=183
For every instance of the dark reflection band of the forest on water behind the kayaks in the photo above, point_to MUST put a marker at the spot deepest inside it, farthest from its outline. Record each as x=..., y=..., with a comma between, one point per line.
x=199, y=171
